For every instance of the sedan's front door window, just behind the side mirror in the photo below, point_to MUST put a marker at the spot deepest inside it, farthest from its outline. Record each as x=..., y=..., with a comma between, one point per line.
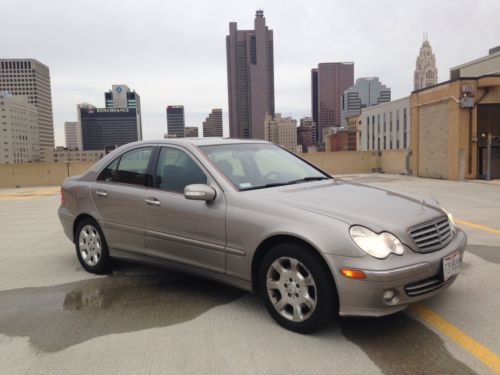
x=176, y=170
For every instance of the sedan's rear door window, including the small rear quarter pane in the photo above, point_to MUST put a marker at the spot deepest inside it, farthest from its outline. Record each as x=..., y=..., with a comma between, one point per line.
x=130, y=168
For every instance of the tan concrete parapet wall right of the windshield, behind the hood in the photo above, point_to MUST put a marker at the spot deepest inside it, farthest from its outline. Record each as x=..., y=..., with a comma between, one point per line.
x=343, y=162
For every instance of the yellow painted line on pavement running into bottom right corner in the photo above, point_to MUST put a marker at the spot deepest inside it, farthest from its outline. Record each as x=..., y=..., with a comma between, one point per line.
x=485, y=355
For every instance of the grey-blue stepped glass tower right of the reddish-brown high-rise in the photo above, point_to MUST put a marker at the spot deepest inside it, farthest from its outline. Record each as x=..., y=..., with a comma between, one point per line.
x=366, y=92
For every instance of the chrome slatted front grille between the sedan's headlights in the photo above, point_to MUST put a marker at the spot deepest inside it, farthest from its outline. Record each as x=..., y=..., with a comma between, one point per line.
x=432, y=236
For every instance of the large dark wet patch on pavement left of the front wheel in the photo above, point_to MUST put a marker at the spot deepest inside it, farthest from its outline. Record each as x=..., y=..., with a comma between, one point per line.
x=58, y=317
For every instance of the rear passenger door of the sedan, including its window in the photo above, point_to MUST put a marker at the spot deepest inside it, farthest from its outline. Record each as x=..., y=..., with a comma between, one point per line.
x=119, y=196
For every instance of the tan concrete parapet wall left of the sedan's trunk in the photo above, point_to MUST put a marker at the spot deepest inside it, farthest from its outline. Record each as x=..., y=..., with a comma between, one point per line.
x=39, y=174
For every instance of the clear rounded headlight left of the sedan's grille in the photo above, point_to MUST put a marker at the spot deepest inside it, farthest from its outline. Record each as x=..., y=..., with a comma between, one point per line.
x=377, y=245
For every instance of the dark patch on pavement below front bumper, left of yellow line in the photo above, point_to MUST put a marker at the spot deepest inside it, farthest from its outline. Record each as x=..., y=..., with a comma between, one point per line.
x=399, y=344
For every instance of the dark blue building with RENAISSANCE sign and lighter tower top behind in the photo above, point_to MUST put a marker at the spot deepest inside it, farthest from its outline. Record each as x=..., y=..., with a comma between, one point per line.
x=115, y=125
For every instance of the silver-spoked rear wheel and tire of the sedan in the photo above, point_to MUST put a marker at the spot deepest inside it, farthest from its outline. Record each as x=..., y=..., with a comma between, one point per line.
x=91, y=247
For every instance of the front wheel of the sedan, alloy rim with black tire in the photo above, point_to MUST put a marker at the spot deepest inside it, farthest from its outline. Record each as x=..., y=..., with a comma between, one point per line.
x=297, y=288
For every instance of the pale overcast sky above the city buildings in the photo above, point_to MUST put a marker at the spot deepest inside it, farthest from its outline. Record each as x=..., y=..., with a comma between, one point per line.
x=299, y=35
